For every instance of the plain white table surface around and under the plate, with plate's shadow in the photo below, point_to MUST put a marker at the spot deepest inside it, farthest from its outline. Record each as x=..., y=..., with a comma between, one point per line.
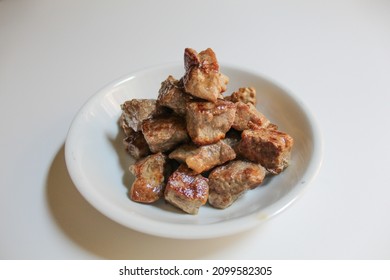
x=334, y=55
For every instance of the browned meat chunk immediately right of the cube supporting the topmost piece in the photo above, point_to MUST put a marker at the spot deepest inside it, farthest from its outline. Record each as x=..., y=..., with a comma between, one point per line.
x=248, y=117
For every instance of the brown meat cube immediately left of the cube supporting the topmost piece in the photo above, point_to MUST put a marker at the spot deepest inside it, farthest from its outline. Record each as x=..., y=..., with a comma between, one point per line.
x=164, y=133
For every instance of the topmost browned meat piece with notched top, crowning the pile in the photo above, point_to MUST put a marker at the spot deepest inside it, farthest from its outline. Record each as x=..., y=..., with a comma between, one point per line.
x=202, y=77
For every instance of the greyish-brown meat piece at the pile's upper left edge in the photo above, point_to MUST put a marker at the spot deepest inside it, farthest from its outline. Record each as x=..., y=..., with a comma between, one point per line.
x=137, y=110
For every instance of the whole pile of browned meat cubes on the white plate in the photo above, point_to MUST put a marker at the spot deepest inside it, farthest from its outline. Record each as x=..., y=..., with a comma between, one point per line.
x=192, y=145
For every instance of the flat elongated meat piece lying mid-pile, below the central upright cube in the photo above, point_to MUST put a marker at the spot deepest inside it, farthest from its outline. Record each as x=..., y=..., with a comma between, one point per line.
x=203, y=158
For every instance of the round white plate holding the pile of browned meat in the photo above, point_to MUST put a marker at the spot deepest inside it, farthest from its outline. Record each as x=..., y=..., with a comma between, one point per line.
x=98, y=164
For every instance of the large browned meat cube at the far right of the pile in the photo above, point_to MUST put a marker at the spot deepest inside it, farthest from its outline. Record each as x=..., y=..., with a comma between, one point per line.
x=270, y=148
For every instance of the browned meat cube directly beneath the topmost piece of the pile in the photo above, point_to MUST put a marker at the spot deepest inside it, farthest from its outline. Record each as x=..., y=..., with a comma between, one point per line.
x=207, y=122
